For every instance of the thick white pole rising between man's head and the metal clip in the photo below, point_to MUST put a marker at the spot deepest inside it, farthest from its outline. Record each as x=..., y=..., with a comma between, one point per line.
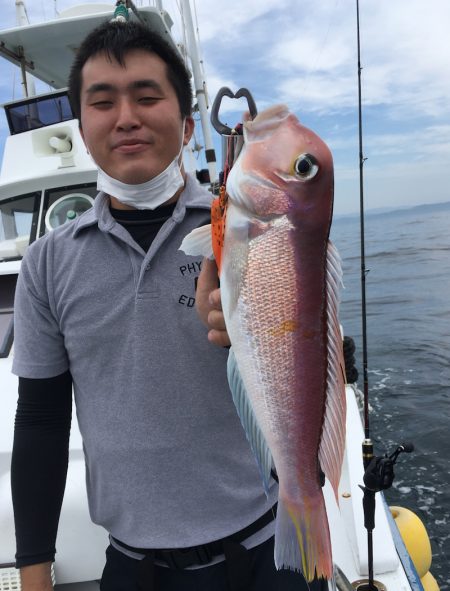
x=200, y=91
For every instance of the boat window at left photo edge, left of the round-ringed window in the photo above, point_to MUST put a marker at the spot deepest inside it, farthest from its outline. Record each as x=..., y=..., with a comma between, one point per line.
x=18, y=224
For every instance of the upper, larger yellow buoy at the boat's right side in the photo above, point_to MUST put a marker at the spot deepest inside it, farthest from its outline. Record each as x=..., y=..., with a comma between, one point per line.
x=415, y=538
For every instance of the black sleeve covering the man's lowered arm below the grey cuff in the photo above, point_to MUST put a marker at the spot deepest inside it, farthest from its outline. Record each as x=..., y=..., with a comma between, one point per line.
x=39, y=464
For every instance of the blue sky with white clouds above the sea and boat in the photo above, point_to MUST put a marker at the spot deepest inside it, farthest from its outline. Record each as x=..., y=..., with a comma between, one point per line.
x=304, y=54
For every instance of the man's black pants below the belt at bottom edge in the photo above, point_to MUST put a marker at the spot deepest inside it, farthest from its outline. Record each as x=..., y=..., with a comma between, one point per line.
x=121, y=574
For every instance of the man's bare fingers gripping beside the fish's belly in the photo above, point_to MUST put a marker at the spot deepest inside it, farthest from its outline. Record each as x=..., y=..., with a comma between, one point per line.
x=209, y=305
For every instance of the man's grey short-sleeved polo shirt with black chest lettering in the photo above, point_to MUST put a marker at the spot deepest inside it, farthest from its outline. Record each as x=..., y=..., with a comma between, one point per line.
x=167, y=461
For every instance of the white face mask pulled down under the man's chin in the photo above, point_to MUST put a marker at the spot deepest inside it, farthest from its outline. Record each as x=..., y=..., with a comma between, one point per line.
x=149, y=195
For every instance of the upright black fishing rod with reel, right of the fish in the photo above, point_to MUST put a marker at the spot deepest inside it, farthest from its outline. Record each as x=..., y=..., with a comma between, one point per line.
x=378, y=471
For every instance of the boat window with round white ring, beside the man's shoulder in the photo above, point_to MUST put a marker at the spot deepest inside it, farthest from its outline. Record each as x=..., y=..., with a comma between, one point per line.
x=64, y=204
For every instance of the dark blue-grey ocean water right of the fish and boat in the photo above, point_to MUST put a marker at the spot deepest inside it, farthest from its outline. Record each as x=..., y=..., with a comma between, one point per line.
x=408, y=337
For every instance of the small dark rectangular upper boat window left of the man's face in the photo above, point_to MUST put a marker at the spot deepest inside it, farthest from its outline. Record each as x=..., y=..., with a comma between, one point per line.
x=37, y=112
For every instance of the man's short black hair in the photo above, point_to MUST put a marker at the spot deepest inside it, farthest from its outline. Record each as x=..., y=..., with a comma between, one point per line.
x=116, y=39
